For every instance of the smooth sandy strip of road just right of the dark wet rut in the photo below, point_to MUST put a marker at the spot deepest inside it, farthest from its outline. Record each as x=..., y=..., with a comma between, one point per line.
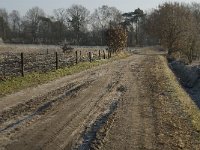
x=135, y=129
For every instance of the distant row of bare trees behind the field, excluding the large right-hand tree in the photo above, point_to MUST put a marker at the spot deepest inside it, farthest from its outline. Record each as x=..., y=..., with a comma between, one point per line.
x=75, y=25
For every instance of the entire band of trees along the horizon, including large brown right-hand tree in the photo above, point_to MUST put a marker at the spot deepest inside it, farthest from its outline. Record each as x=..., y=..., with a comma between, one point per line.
x=173, y=25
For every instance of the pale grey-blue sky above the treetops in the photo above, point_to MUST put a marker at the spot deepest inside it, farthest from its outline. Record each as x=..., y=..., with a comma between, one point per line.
x=49, y=5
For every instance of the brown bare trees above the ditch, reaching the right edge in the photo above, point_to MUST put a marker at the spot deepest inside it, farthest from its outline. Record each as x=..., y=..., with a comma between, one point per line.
x=176, y=26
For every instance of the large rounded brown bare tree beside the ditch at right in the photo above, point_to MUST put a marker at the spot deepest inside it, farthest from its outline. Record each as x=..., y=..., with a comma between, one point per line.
x=175, y=26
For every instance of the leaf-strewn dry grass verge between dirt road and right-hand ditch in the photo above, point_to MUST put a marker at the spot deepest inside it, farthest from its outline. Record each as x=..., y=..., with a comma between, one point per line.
x=177, y=116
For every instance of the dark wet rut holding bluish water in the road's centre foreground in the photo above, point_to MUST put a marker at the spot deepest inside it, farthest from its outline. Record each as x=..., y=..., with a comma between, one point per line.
x=90, y=134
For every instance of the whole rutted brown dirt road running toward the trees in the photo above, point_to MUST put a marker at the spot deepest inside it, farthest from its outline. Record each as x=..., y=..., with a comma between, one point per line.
x=112, y=107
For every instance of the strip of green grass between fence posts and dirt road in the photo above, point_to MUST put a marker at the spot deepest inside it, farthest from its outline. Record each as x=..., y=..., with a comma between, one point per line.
x=34, y=79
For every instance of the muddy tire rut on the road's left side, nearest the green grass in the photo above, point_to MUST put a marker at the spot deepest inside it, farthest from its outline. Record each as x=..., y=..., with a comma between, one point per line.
x=30, y=105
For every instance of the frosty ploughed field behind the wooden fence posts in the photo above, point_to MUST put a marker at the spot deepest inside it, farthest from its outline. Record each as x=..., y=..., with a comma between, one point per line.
x=42, y=58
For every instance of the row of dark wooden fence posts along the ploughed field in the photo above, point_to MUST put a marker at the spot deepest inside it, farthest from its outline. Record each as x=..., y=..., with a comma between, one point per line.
x=15, y=64
